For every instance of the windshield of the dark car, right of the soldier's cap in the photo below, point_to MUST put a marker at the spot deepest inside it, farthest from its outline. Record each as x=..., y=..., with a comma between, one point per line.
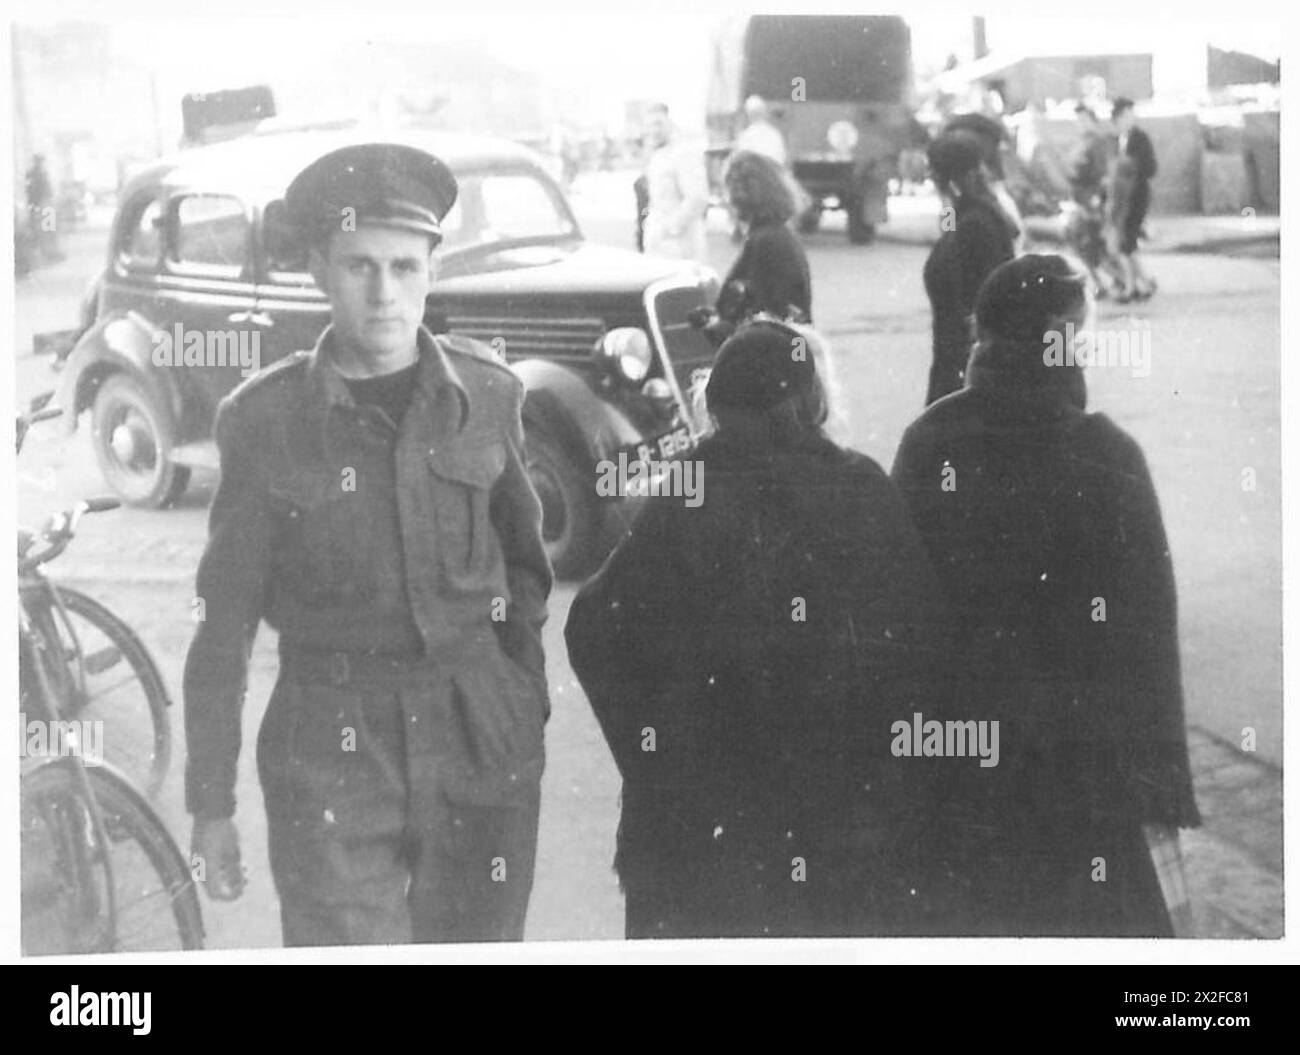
x=505, y=207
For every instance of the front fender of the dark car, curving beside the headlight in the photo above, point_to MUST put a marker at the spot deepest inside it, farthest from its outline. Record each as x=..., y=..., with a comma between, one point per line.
x=562, y=403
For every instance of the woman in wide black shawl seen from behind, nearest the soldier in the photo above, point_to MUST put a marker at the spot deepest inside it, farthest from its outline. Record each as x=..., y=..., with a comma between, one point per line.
x=746, y=659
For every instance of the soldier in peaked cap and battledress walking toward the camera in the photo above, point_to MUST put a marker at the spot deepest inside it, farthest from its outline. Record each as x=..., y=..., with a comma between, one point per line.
x=376, y=511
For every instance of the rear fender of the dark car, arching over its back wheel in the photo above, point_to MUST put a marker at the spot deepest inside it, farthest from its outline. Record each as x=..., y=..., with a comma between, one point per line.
x=120, y=342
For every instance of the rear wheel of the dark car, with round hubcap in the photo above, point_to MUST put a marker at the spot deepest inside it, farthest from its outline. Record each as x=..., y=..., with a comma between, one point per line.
x=133, y=445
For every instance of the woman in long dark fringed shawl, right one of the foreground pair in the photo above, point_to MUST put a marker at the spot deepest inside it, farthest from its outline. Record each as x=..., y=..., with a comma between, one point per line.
x=1045, y=528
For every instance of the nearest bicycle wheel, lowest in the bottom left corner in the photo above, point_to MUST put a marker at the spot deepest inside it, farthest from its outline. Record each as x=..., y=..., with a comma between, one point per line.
x=128, y=891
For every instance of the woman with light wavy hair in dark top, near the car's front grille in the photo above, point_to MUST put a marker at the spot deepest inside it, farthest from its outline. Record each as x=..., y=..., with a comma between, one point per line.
x=772, y=275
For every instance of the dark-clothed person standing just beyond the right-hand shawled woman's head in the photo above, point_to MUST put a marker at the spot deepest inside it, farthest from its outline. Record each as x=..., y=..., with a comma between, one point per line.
x=977, y=237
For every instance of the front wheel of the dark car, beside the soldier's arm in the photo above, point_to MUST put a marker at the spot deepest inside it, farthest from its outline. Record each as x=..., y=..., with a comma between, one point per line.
x=570, y=513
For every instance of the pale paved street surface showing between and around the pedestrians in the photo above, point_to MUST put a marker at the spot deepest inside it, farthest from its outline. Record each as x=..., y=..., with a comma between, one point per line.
x=1208, y=411
